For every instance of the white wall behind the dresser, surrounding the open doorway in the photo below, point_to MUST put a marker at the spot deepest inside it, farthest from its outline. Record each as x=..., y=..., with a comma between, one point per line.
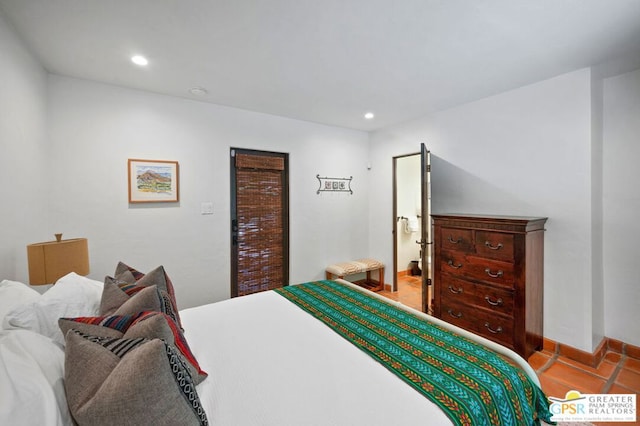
x=522, y=152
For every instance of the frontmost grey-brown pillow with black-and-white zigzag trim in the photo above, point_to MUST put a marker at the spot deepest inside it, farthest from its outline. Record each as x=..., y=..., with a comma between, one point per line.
x=112, y=381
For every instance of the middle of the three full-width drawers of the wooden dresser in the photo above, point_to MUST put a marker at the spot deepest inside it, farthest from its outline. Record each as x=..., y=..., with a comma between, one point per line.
x=482, y=296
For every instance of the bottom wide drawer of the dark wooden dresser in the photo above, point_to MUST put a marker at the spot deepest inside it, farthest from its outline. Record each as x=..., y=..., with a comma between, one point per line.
x=487, y=324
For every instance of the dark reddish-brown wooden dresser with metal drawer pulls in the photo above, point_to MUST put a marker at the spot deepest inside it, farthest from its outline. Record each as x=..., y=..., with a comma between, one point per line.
x=488, y=277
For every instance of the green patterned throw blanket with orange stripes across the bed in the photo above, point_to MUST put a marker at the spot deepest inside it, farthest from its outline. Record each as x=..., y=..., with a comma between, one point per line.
x=472, y=384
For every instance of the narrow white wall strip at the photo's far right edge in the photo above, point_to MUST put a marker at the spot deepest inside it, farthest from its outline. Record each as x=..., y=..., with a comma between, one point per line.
x=621, y=206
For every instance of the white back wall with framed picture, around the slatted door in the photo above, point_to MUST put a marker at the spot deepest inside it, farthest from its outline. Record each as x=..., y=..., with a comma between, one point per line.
x=95, y=128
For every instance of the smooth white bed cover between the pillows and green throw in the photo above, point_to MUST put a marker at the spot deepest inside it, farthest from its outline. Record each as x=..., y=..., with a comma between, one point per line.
x=271, y=363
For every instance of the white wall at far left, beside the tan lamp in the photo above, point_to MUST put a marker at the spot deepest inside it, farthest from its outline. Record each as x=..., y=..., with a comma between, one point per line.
x=23, y=148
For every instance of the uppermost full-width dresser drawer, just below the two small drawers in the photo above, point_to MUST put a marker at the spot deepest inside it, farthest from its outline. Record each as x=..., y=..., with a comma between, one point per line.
x=475, y=268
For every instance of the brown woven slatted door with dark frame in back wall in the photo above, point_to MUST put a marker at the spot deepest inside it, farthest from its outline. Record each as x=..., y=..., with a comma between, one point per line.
x=259, y=221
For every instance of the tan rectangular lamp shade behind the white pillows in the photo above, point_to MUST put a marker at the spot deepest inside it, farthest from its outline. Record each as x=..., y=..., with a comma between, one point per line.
x=52, y=260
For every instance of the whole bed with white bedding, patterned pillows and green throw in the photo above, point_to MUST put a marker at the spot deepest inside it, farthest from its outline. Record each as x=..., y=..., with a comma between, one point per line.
x=310, y=354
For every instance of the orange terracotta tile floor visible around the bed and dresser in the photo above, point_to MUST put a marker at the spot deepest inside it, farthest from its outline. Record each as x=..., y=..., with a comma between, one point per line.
x=616, y=373
